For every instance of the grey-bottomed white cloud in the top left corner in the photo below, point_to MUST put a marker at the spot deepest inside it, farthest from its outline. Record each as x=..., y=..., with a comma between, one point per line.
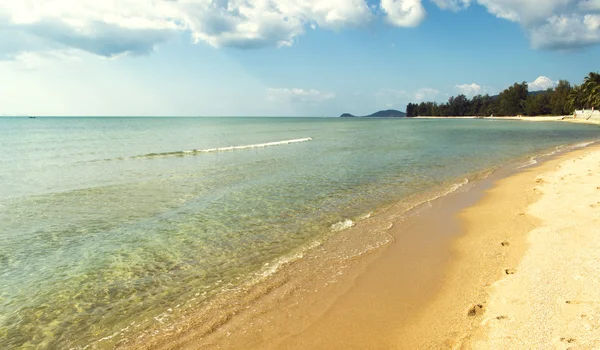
x=96, y=26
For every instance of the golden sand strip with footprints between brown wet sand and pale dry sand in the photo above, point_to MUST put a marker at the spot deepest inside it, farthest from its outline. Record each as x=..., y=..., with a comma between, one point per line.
x=495, y=239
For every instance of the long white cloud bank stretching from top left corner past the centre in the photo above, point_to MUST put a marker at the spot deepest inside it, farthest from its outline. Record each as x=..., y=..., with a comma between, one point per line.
x=137, y=26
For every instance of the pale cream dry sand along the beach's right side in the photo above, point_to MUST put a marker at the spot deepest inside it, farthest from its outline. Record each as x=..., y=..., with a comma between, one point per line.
x=552, y=301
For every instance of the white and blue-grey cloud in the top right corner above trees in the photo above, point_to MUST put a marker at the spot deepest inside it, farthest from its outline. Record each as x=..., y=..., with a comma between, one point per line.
x=552, y=24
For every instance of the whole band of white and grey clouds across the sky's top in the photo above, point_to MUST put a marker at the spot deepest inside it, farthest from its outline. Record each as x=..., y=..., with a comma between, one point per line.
x=136, y=27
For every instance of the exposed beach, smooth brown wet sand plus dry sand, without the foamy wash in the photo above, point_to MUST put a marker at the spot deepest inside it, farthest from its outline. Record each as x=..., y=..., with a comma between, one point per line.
x=477, y=302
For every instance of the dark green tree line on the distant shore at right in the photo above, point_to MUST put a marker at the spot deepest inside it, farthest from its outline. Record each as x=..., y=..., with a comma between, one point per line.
x=563, y=99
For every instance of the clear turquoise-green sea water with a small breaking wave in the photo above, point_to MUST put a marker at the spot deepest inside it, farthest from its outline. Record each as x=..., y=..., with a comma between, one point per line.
x=109, y=221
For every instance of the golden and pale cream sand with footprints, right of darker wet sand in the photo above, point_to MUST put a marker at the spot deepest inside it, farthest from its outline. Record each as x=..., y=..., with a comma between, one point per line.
x=525, y=271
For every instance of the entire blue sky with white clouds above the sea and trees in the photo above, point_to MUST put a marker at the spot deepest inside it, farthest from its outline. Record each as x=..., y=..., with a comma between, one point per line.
x=282, y=57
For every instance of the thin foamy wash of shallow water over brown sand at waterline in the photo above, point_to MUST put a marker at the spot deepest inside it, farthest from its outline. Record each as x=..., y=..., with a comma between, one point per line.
x=316, y=277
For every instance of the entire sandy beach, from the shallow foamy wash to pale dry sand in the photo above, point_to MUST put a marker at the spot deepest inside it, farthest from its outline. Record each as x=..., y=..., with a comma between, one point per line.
x=510, y=263
